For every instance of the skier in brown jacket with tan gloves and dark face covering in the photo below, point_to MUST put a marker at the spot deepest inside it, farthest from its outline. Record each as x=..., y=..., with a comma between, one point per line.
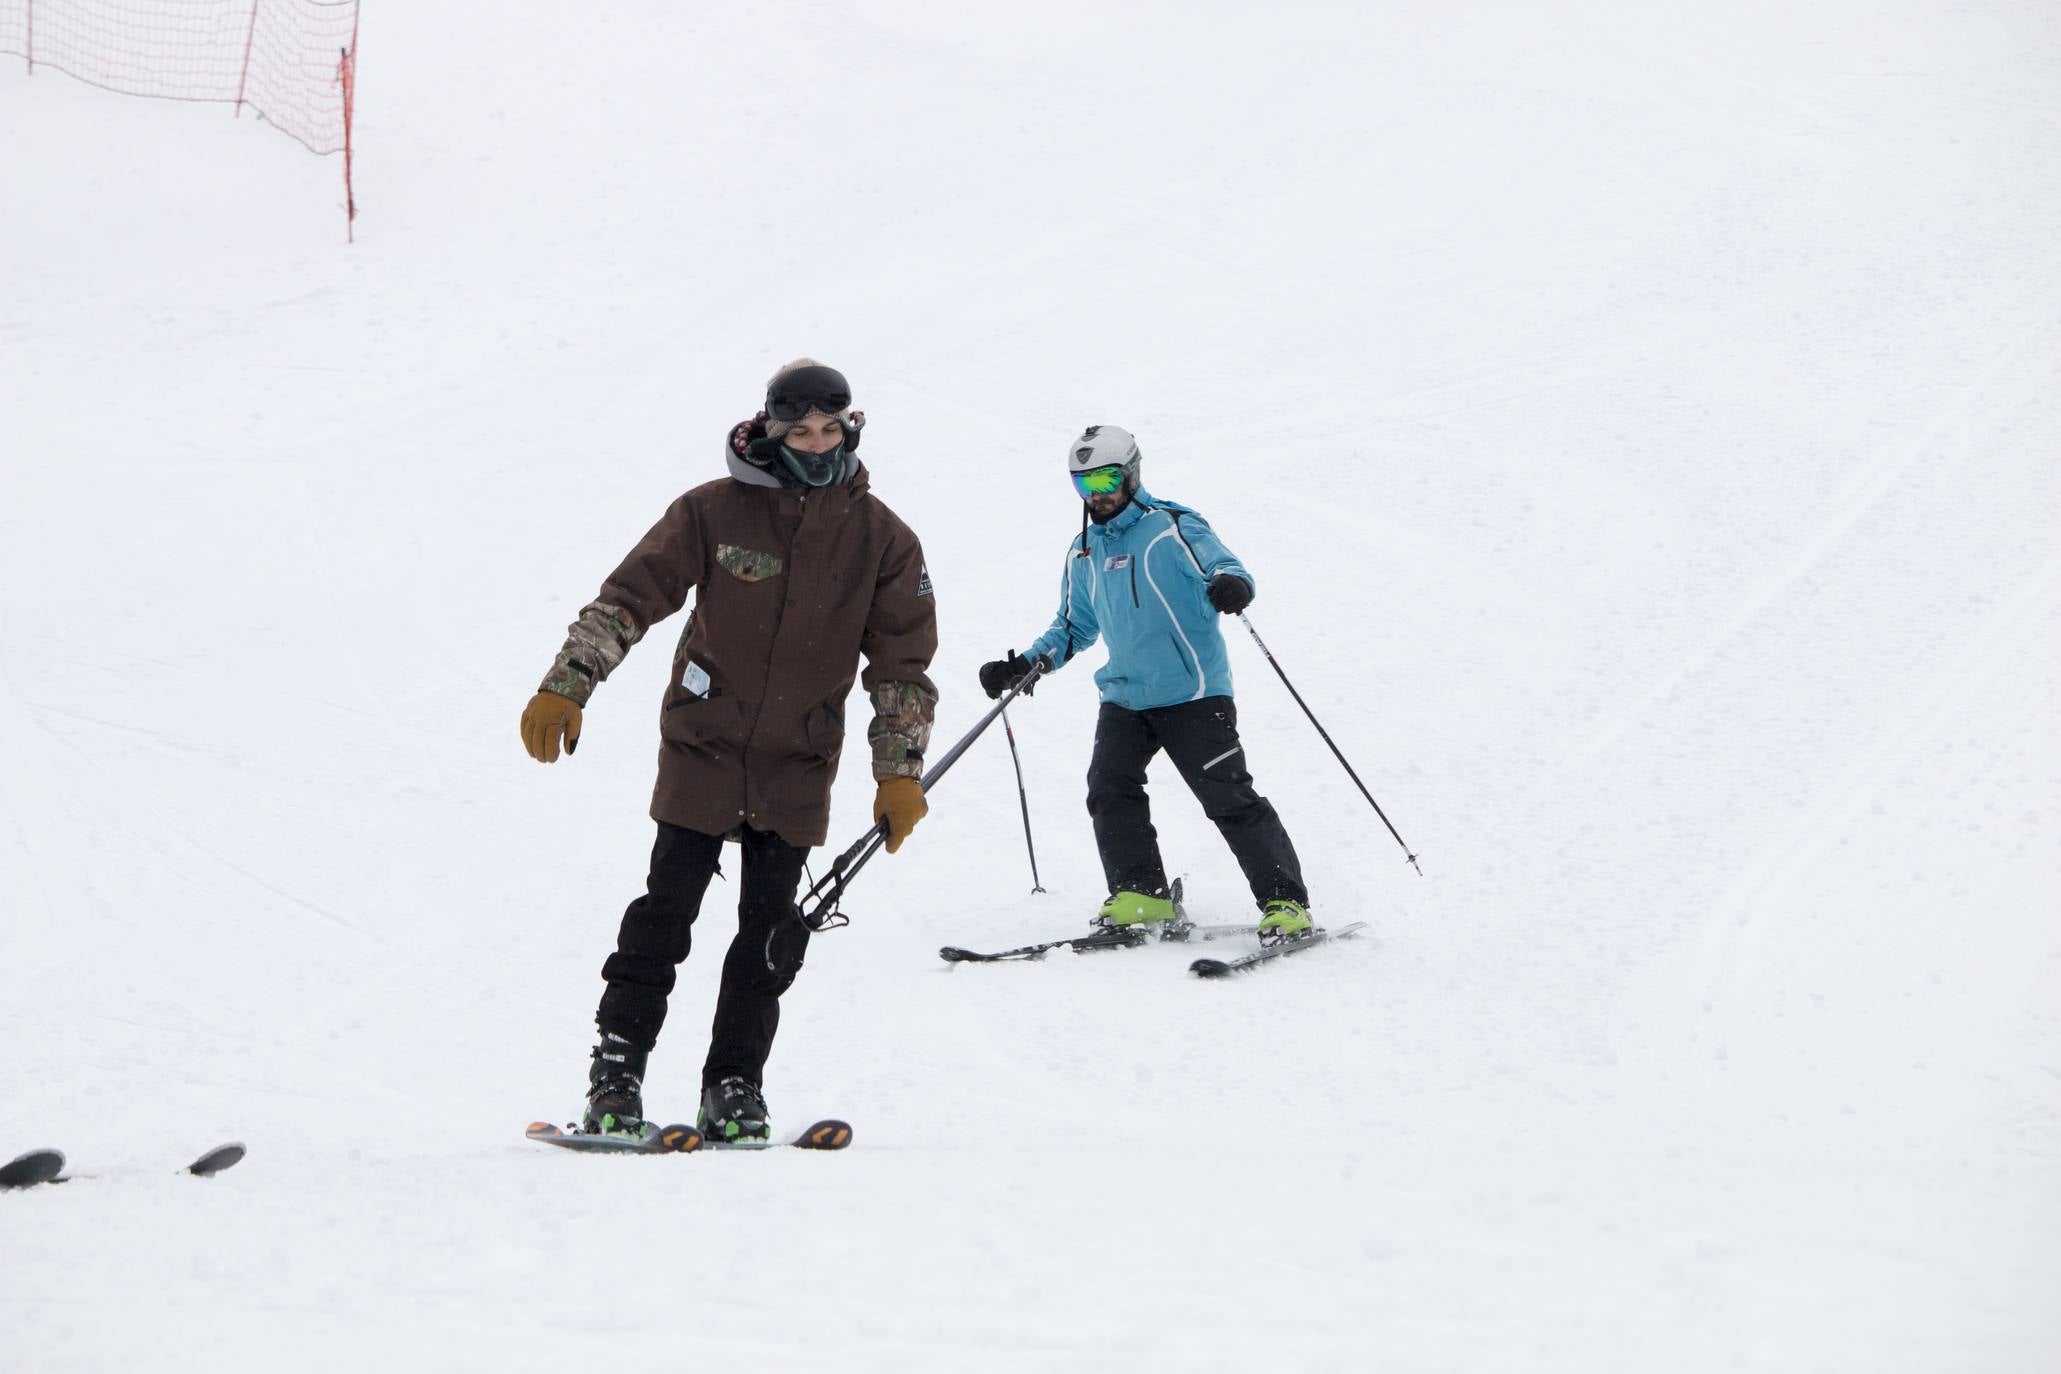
x=797, y=572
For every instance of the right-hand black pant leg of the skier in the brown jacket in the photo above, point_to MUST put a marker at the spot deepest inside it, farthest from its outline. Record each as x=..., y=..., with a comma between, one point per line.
x=747, y=1008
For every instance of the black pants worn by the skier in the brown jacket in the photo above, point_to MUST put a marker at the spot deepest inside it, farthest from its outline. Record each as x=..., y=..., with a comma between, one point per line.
x=656, y=936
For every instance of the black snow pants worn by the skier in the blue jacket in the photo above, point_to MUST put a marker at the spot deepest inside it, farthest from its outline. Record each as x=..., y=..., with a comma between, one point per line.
x=1203, y=741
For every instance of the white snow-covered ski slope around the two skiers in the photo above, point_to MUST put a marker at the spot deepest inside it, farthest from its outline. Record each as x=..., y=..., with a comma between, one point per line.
x=1642, y=421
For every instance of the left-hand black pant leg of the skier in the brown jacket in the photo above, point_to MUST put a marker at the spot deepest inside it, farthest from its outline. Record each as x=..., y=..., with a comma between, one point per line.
x=656, y=934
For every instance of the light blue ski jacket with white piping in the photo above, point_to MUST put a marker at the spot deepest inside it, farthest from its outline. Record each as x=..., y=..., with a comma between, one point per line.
x=1141, y=584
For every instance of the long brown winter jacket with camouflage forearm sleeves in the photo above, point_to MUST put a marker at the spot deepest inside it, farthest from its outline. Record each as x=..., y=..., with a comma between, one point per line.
x=792, y=588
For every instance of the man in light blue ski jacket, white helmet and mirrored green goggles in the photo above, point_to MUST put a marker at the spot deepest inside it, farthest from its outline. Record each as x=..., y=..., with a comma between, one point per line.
x=1151, y=578
